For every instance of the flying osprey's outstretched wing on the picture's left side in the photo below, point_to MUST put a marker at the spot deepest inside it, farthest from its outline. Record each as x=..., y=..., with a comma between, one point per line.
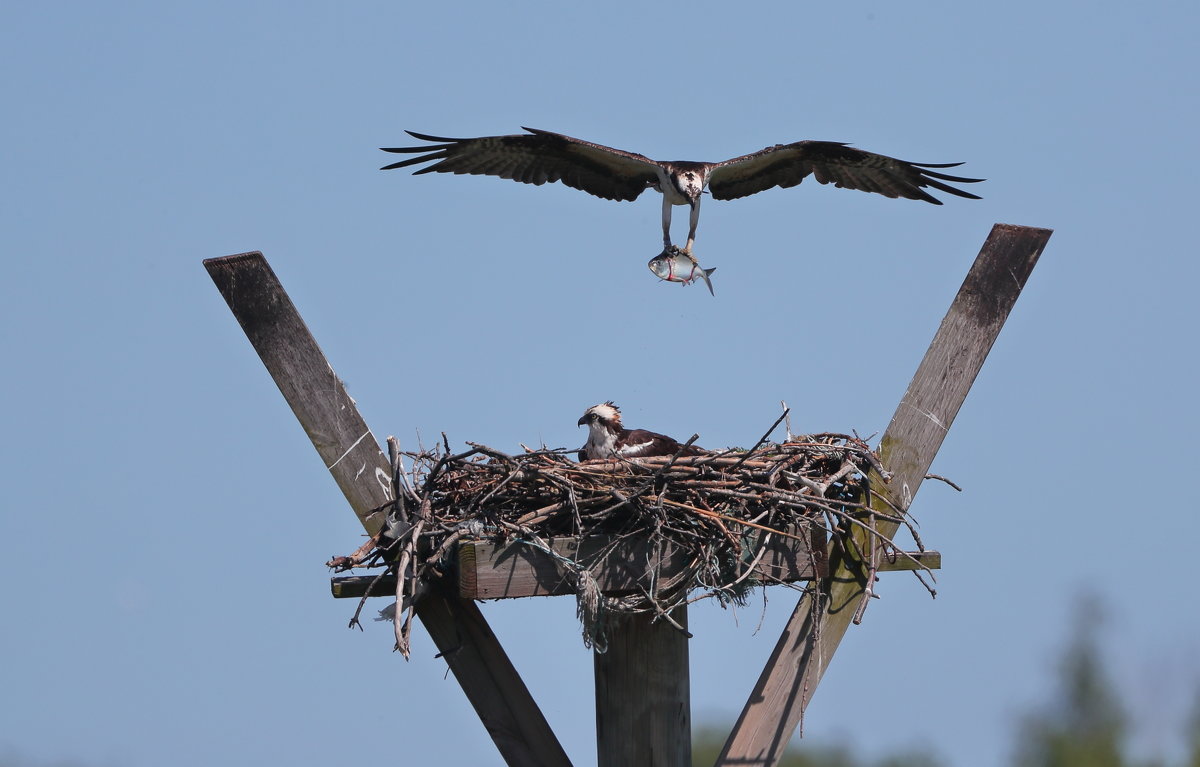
x=537, y=158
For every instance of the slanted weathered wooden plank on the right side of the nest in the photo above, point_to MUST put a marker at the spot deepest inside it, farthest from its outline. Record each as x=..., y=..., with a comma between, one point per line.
x=908, y=450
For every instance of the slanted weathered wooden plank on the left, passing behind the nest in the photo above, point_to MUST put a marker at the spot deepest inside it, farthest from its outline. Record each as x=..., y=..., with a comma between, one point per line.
x=352, y=456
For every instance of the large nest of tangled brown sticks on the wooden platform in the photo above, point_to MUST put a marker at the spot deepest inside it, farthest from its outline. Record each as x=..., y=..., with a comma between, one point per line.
x=722, y=508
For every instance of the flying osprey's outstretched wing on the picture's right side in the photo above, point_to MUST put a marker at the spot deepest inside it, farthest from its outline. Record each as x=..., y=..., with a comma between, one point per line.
x=831, y=163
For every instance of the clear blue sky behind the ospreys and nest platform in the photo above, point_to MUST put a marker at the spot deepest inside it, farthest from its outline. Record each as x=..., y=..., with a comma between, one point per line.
x=166, y=522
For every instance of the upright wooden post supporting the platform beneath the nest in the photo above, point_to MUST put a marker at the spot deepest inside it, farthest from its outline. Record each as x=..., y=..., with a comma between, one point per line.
x=644, y=694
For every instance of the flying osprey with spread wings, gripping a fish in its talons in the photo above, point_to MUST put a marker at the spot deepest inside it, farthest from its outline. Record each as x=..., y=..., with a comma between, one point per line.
x=541, y=157
